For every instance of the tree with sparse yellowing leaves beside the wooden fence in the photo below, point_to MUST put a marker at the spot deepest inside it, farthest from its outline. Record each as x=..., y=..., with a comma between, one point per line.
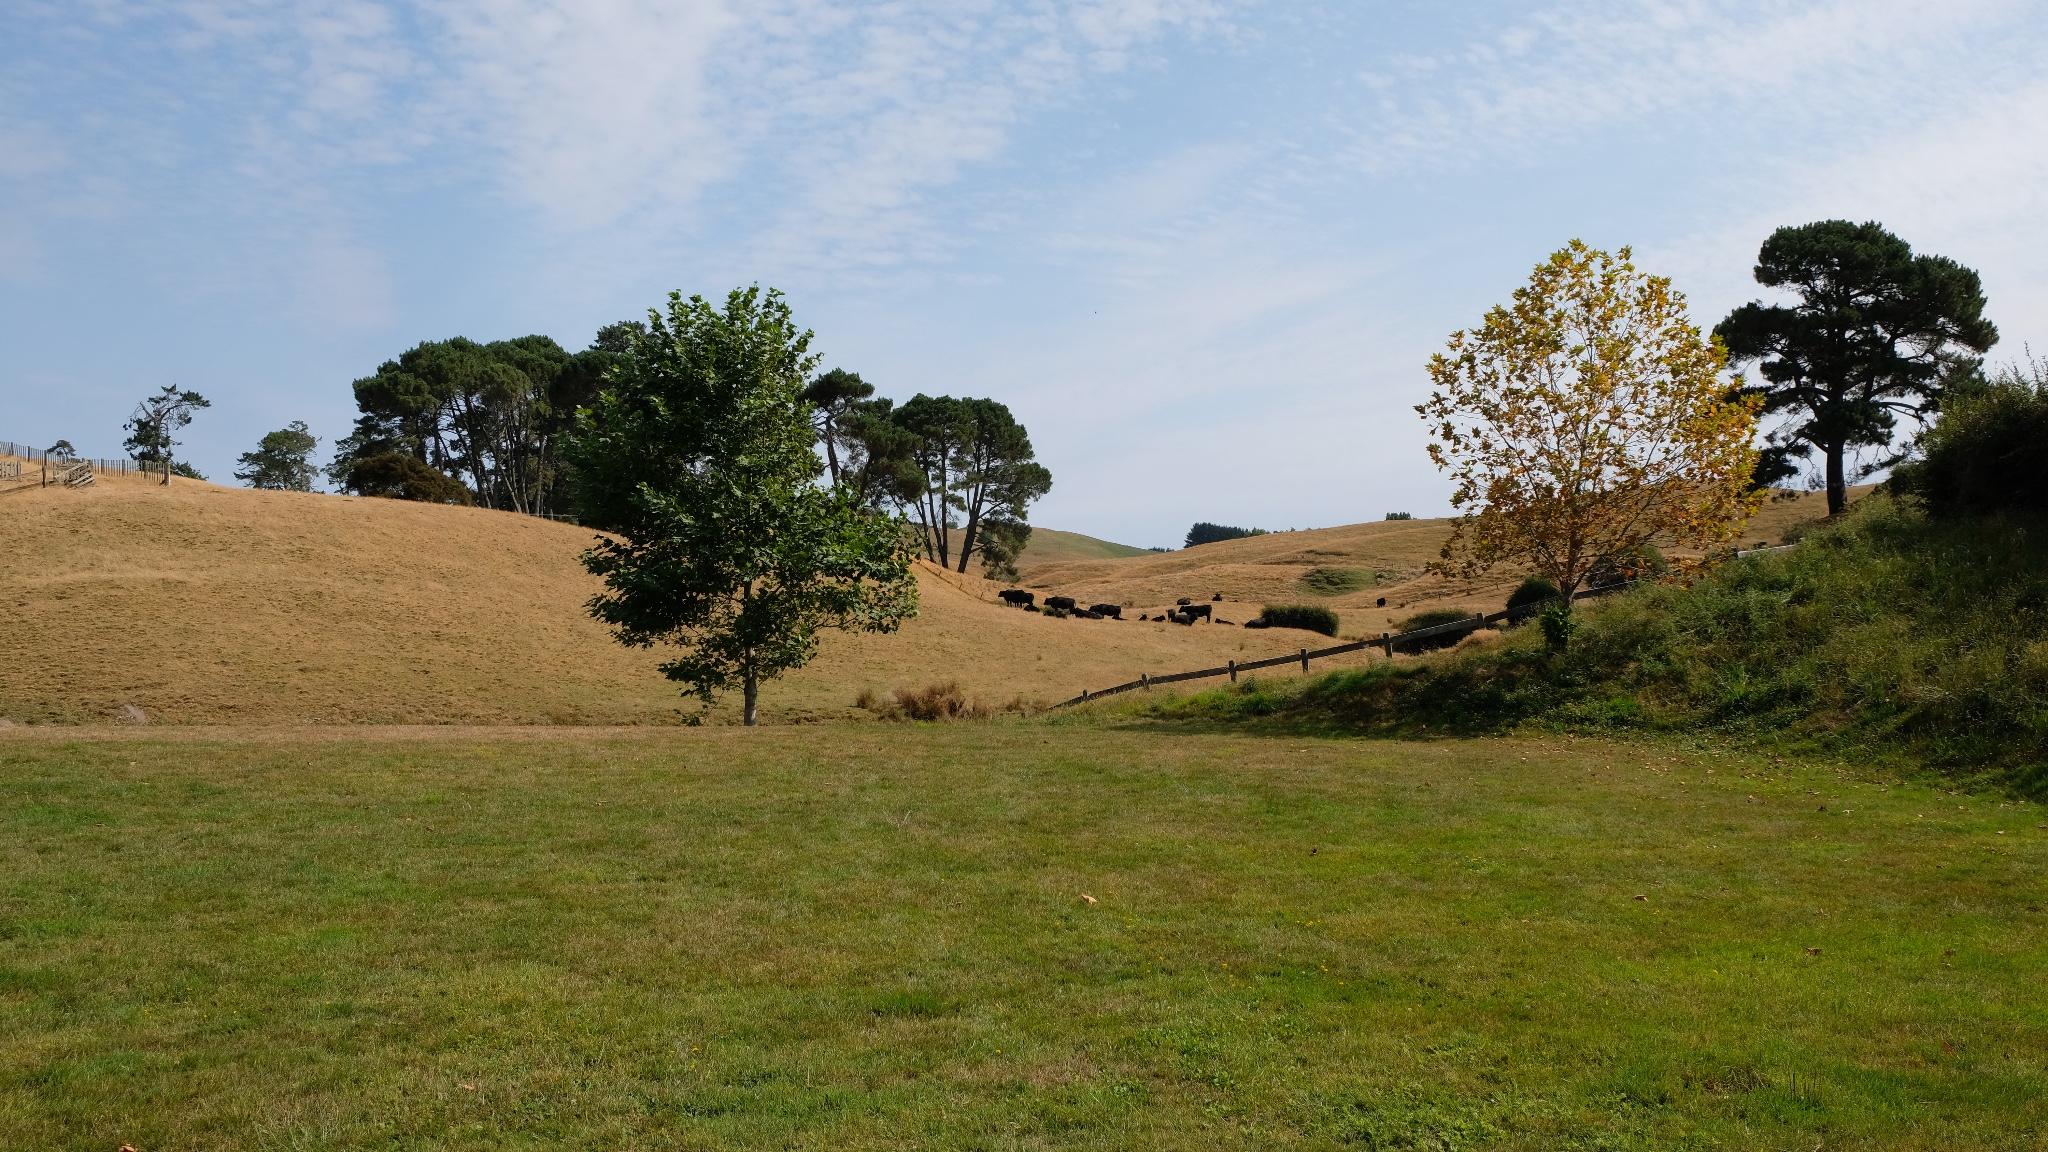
x=1588, y=419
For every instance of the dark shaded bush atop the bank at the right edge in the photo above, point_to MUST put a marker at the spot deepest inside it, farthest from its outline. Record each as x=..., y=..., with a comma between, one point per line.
x=1986, y=454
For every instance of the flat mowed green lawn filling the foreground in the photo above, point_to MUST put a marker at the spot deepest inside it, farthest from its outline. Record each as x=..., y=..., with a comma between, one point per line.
x=884, y=938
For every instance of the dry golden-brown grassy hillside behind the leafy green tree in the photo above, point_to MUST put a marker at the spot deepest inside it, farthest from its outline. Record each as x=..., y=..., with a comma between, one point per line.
x=222, y=606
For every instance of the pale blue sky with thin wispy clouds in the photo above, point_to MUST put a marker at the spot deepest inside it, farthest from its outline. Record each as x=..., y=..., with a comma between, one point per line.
x=1203, y=249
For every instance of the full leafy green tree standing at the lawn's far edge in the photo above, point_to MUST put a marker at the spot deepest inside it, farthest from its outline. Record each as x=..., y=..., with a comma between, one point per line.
x=697, y=458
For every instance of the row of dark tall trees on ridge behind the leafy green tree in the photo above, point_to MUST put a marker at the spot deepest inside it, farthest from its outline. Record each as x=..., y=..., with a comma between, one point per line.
x=488, y=423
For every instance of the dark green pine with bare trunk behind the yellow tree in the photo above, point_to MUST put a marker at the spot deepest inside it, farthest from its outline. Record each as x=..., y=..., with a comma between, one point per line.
x=1875, y=335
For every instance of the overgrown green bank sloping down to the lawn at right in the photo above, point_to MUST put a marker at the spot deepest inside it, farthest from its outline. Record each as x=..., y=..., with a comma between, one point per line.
x=1885, y=632
